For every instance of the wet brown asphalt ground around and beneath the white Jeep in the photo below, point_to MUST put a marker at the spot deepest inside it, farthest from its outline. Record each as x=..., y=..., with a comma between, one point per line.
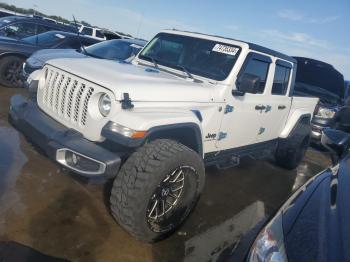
x=44, y=208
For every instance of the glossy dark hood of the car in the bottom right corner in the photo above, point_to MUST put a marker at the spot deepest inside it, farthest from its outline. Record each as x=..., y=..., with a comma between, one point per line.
x=316, y=224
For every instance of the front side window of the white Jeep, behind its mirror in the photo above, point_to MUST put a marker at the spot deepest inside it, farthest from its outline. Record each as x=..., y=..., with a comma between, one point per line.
x=260, y=69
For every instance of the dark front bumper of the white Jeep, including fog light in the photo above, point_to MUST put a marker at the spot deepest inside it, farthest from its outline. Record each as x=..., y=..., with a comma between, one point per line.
x=65, y=146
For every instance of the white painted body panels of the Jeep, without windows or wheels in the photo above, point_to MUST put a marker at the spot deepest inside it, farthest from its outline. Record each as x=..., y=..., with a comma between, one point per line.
x=161, y=98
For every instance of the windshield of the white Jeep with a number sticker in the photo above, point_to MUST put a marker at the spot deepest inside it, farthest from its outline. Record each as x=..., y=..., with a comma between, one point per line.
x=206, y=58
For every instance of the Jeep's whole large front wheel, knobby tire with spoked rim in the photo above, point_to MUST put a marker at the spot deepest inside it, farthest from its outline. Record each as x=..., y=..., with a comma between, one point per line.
x=156, y=189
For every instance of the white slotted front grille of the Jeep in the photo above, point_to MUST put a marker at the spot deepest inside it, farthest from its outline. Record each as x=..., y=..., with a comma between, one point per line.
x=67, y=96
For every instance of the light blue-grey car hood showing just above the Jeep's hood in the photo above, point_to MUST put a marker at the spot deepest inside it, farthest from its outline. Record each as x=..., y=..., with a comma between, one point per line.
x=46, y=54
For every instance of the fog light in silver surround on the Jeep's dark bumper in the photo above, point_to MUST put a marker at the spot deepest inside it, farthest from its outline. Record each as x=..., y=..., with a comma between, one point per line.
x=79, y=162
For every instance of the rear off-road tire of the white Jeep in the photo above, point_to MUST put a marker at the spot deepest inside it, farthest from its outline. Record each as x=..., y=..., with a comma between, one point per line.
x=290, y=152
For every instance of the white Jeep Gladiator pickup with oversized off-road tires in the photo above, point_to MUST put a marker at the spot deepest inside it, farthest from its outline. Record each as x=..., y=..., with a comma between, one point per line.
x=187, y=101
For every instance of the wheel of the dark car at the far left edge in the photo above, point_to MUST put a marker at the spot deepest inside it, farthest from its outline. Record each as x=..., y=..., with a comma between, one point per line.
x=10, y=71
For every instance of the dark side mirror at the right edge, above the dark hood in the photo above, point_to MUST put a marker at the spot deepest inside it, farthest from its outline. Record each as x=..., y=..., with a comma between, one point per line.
x=337, y=142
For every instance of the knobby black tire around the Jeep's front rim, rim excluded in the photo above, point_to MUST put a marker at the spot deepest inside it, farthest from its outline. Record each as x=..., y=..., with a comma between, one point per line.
x=138, y=179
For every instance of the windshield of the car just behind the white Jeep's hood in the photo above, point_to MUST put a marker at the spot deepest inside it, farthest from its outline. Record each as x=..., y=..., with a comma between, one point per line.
x=114, y=50
